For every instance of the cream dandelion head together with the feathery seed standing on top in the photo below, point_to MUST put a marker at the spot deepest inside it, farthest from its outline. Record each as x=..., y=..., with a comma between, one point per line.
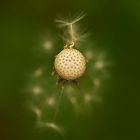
x=70, y=63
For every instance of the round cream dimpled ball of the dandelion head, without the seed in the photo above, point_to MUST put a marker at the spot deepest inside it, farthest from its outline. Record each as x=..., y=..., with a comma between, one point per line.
x=70, y=64
